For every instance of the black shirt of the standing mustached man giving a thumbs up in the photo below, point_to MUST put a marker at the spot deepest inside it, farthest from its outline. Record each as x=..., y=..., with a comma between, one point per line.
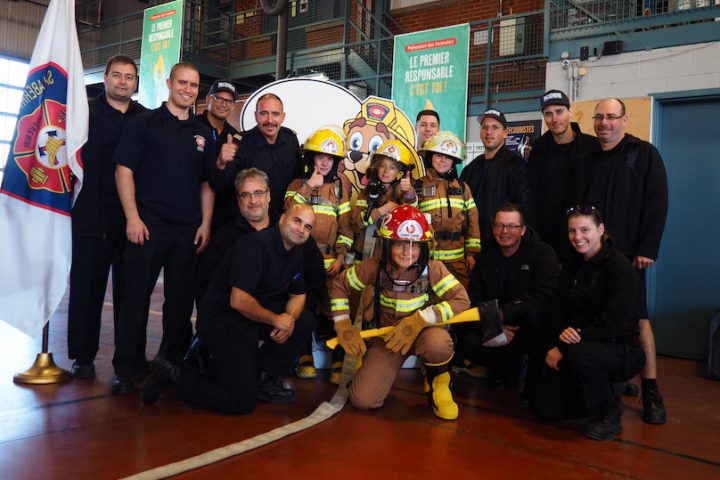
x=280, y=160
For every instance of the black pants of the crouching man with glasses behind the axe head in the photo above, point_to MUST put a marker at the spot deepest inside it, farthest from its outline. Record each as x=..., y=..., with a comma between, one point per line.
x=532, y=338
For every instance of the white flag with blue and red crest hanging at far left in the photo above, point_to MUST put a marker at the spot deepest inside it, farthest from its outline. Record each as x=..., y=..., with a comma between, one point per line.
x=37, y=188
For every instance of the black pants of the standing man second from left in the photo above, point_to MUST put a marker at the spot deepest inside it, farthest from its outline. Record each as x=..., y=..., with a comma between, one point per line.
x=170, y=248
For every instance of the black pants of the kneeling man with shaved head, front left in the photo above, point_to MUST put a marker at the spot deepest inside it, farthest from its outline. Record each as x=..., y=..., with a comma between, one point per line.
x=238, y=362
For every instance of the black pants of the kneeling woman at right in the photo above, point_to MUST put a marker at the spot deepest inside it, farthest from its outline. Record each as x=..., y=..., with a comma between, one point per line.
x=585, y=379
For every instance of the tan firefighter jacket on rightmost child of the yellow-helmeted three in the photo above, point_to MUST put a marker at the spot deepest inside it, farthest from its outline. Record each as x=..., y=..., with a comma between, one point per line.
x=454, y=216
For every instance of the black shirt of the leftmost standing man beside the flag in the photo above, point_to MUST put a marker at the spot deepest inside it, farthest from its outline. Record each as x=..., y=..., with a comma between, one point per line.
x=99, y=193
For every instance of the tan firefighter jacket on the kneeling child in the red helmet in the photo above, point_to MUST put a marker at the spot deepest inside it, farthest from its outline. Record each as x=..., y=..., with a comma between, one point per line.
x=401, y=292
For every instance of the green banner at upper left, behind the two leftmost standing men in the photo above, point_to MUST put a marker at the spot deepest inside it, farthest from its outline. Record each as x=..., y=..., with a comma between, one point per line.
x=161, y=43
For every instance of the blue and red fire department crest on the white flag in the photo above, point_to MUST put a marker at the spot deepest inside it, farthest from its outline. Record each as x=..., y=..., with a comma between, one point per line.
x=37, y=170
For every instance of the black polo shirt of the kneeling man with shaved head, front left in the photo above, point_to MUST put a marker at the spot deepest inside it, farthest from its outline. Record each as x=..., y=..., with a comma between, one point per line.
x=259, y=265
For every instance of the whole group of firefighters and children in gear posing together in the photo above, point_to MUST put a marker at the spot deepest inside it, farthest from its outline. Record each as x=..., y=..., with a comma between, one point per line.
x=260, y=234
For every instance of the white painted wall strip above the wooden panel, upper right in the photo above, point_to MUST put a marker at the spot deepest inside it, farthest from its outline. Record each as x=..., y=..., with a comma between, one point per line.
x=638, y=74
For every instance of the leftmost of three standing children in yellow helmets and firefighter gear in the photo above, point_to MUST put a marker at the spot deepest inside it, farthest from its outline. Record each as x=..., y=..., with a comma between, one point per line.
x=323, y=189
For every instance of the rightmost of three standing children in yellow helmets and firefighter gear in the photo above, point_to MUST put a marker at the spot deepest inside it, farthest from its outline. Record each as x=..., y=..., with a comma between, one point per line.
x=450, y=204
